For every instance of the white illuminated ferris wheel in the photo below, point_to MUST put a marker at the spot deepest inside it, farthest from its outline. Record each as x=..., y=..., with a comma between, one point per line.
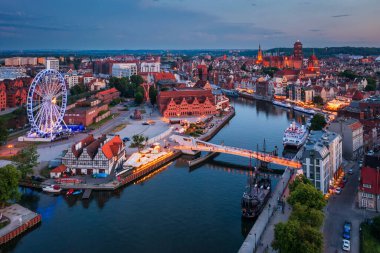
x=46, y=103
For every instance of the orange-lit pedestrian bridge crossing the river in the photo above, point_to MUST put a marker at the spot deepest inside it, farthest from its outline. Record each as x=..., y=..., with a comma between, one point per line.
x=188, y=145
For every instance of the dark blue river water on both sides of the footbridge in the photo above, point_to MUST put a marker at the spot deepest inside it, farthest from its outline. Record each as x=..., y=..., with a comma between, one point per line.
x=174, y=210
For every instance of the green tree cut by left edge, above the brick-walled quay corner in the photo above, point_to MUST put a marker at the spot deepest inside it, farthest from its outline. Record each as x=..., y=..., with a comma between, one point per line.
x=9, y=177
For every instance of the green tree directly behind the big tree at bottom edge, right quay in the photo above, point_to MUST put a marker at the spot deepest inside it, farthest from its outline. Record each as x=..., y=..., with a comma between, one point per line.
x=309, y=216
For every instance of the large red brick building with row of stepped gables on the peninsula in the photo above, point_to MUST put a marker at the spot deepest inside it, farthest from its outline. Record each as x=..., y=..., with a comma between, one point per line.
x=186, y=102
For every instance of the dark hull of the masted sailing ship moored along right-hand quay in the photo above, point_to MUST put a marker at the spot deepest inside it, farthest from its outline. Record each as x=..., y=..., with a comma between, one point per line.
x=256, y=196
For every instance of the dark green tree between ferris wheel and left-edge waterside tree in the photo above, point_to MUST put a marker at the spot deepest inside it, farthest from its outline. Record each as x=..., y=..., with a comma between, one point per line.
x=26, y=160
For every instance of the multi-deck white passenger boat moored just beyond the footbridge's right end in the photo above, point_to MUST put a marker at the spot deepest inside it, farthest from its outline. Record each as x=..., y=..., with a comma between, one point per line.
x=295, y=135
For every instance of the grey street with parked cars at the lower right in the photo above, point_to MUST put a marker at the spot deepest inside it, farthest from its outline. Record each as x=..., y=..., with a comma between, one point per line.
x=341, y=208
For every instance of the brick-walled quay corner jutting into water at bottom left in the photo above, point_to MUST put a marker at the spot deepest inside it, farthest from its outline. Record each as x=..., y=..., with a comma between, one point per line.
x=20, y=218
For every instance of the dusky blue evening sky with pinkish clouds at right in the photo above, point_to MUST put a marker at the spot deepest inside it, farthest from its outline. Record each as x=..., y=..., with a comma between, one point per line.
x=187, y=24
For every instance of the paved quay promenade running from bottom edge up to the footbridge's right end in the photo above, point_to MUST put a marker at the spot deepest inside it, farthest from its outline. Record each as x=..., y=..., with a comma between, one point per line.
x=261, y=235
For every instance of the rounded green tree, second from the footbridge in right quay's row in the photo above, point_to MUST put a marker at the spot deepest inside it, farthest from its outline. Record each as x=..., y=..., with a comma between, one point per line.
x=307, y=195
